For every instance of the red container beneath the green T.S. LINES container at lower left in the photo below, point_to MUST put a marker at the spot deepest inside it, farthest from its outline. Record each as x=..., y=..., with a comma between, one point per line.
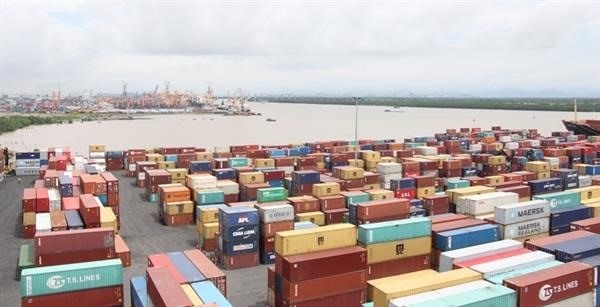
x=107, y=296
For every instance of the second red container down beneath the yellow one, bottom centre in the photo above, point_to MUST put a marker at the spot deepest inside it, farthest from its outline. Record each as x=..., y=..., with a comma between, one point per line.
x=311, y=289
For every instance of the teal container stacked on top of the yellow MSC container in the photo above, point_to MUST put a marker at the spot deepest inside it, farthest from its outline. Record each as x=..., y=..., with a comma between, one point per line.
x=394, y=230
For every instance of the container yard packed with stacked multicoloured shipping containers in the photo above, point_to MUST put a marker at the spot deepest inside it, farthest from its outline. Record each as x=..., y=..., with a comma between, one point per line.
x=466, y=217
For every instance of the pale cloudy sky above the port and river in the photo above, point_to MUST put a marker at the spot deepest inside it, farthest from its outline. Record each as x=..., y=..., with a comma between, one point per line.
x=441, y=48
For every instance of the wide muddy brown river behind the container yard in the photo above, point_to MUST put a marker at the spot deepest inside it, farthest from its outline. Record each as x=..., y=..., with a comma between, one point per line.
x=295, y=123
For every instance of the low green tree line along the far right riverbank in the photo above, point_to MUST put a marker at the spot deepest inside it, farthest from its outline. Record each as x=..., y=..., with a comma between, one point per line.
x=534, y=104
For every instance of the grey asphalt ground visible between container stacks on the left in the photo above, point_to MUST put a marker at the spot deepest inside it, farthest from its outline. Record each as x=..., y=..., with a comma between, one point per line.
x=139, y=228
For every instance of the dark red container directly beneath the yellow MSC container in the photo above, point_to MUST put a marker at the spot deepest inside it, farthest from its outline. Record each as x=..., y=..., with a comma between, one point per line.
x=398, y=266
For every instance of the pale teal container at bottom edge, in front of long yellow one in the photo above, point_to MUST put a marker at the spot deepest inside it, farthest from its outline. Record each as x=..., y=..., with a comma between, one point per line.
x=492, y=296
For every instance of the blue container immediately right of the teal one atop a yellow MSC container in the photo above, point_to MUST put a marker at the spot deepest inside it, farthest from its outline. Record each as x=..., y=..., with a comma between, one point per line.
x=465, y=237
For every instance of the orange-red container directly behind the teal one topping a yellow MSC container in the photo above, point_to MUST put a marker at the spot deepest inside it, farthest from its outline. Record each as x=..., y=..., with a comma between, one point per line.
x=382, y=208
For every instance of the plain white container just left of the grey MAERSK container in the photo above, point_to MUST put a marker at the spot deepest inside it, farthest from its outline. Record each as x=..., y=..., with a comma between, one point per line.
x=485, y=203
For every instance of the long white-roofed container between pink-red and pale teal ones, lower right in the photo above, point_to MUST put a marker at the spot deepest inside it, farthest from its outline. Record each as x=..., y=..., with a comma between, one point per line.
x=513, y=263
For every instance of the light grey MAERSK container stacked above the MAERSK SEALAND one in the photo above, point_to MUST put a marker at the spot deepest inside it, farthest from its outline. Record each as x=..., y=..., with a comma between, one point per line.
x=524, y=211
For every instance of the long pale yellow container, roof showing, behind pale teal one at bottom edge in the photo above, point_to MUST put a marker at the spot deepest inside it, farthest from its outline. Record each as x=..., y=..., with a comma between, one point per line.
x=401, y=287
